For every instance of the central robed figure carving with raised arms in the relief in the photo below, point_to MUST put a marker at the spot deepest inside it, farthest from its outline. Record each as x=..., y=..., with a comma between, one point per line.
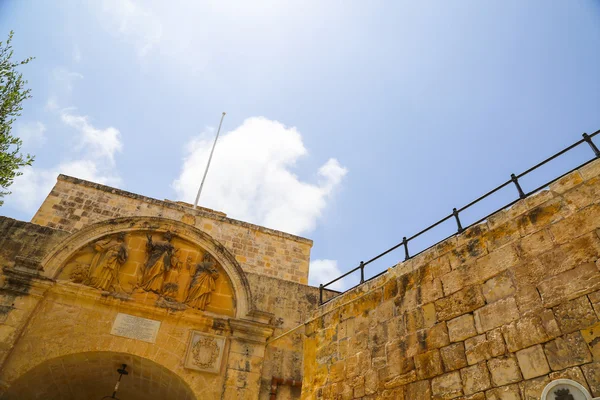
x=159, y=261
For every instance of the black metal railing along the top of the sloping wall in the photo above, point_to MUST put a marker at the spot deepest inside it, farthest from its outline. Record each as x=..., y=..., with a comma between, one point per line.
x=514, y=179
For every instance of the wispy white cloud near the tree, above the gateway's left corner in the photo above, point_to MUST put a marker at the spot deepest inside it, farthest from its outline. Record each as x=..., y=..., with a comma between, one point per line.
x=92, y=160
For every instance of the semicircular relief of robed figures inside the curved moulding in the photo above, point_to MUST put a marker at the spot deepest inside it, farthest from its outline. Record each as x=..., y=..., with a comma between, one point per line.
x=177, y=272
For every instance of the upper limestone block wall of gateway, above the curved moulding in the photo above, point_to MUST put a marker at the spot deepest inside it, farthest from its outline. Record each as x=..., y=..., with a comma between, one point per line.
x=74, y=203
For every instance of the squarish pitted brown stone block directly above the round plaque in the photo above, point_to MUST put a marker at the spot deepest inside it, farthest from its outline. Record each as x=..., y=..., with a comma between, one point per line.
x=567, y=351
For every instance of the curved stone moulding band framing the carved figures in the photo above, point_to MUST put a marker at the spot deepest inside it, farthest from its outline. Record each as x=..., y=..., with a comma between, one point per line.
x=56, y=260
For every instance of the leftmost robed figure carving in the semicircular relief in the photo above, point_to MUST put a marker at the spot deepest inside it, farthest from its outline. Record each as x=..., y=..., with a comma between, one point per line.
x=106, y=263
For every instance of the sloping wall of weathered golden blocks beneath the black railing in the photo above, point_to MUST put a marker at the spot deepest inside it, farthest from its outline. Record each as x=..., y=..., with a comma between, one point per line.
x=496, y=312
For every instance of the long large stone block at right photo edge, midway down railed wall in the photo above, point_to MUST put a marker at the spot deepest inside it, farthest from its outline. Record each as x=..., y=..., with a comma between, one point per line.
x=570, y=284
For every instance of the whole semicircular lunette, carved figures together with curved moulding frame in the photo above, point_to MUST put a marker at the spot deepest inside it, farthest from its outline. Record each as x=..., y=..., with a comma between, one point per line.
x=155, y=261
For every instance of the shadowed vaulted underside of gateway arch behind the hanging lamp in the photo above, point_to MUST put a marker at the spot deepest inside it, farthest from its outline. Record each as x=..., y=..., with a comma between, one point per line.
x=92, y=375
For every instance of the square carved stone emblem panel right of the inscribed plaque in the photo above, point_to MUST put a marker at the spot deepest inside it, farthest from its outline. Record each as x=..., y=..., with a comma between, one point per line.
x=205, y=352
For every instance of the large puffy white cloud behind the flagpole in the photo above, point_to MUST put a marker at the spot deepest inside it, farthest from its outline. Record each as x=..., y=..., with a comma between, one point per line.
x=251, y=176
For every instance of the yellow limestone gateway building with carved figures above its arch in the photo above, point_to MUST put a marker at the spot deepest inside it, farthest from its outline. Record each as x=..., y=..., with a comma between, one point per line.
x=185, y=298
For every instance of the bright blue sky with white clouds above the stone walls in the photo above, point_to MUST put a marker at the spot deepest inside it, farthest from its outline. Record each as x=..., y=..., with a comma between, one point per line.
x=351, y=123
